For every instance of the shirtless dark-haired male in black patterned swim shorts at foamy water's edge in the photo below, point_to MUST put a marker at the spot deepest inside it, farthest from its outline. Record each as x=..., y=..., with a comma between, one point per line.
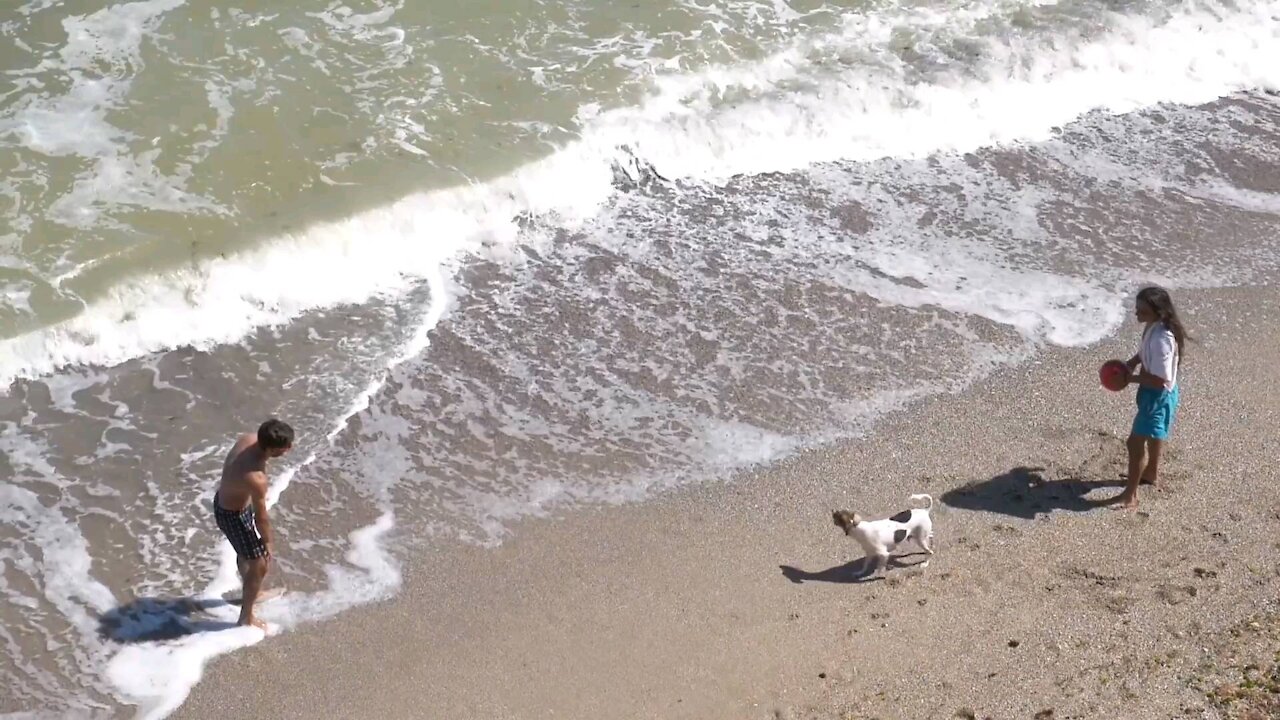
x=240, y=508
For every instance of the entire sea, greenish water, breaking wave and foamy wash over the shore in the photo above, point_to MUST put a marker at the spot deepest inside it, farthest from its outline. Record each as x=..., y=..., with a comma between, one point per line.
x=495, y=261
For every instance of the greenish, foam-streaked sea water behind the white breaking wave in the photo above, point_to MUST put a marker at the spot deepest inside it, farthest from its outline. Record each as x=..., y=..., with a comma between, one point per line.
x=148, y=135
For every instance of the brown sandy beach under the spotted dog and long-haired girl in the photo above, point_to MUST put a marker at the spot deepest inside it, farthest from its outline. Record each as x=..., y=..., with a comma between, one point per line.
x=737, y=600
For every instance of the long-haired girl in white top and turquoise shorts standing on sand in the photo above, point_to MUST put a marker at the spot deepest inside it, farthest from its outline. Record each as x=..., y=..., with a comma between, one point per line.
x=1159, y=357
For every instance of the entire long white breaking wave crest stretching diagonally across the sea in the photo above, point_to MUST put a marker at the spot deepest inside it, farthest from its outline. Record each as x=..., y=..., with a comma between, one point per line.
x=792, y=111
